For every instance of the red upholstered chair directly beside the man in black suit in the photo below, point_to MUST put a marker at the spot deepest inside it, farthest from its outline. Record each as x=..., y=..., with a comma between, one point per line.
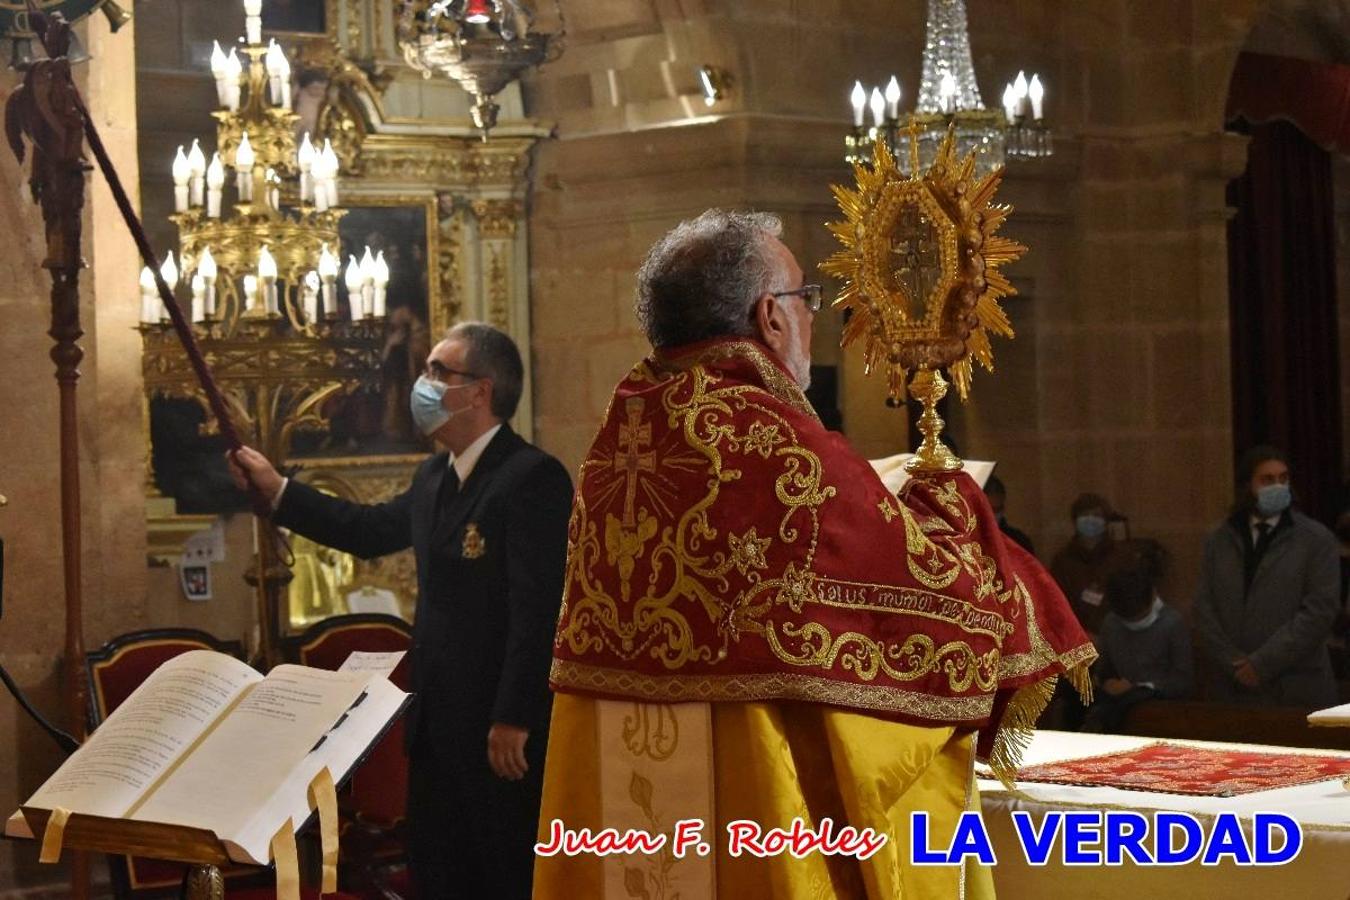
x=375, y=808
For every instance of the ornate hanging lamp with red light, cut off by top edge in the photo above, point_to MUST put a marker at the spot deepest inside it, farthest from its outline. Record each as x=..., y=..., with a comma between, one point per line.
x=483, y=45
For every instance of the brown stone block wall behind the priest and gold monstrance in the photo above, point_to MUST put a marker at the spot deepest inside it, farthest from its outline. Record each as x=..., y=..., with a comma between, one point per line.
x=1118, y=381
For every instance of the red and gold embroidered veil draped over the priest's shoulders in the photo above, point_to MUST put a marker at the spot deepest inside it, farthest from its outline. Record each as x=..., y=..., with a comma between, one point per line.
x=724, y=546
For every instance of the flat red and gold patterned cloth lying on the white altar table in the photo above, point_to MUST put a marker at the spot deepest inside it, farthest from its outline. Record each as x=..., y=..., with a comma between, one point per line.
x=1174, y=768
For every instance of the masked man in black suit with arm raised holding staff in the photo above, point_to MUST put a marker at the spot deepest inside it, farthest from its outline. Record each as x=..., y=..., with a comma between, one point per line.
x=488, y=523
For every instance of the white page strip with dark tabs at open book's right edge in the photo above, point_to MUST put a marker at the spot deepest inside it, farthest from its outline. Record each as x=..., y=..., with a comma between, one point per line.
x=340, y=752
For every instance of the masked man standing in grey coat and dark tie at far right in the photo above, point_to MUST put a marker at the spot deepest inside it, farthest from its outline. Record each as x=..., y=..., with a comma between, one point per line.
x=1268, y=594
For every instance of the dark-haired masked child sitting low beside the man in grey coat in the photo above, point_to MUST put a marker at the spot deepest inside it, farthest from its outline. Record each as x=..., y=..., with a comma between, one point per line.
x=1144, y=647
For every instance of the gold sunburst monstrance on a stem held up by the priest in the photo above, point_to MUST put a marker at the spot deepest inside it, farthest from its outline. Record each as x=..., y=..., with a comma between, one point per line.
x=921, y=277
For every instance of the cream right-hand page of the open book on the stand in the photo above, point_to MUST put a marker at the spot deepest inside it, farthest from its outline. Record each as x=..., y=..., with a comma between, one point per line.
x=234, y=772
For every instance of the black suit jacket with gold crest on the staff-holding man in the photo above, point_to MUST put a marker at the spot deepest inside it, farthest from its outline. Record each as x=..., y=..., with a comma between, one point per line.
x=491, y=584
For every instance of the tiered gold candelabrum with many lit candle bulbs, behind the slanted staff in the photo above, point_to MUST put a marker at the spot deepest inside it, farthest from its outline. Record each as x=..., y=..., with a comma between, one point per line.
x=281, y=334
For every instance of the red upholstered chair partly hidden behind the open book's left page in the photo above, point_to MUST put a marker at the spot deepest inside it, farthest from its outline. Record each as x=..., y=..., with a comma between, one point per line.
x=114, y=673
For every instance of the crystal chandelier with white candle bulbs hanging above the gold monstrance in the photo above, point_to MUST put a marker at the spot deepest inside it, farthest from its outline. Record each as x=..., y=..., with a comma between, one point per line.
x=950, y=99
